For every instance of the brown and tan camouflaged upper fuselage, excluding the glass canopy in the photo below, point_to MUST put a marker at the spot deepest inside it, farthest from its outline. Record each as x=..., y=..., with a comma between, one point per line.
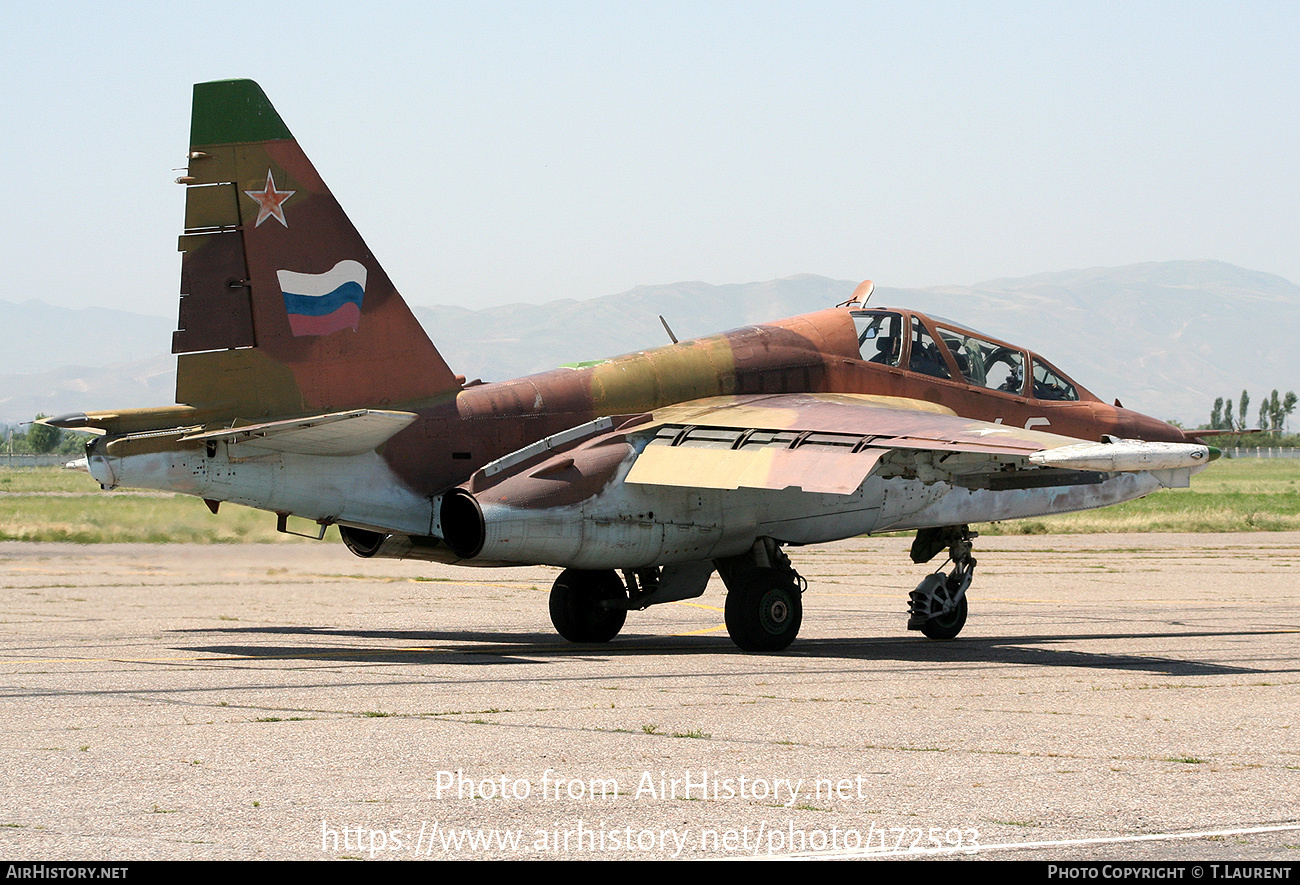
x=816, y=353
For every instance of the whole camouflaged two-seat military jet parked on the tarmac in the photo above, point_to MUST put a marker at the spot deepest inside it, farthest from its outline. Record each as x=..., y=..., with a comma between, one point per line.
x=306, y=388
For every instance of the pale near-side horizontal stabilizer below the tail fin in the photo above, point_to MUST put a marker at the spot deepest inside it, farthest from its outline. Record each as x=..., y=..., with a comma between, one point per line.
x=340, y=433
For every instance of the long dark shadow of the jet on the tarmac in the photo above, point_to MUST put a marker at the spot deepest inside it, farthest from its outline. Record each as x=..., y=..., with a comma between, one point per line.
x=460, y=648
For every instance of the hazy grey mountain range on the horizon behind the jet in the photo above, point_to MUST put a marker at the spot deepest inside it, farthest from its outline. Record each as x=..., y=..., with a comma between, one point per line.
x=1165, y=339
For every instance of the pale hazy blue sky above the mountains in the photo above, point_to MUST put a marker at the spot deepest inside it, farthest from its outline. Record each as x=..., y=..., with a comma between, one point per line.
x=530, y=151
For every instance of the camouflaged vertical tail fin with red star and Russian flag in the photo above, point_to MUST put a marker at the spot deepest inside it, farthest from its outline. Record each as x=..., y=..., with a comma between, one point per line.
x=284, y=310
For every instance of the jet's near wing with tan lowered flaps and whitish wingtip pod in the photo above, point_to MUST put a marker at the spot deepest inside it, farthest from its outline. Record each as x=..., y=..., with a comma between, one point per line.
x=831, y=442
